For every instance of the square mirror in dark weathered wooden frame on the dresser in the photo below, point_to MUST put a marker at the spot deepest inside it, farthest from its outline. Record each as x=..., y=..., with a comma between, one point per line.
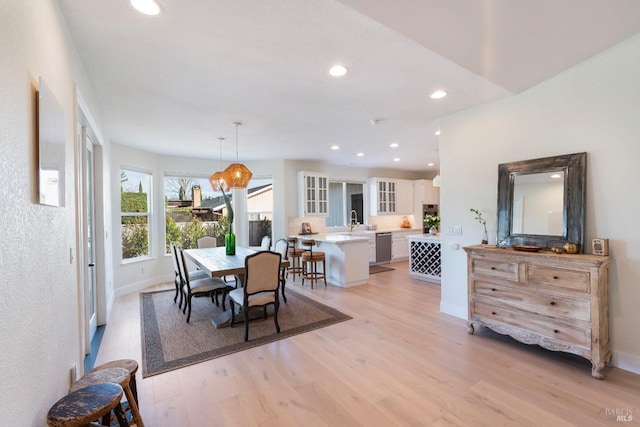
x=541, y=202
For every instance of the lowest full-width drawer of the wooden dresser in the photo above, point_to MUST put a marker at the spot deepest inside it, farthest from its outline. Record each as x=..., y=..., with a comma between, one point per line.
x=534, y=323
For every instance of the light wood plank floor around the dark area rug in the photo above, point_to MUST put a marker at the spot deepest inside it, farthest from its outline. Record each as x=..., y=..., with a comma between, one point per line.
x=398, y=362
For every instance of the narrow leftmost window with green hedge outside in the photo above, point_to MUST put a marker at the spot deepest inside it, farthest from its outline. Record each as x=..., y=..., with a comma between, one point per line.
x=135, y=213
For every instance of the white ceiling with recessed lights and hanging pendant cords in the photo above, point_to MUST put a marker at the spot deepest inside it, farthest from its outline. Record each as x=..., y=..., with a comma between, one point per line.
x=173, y=83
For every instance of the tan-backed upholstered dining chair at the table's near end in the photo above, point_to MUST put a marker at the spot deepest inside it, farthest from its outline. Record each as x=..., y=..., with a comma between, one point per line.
x=261, y=283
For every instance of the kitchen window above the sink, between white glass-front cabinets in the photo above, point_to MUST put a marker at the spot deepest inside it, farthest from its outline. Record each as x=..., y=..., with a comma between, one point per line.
x=344, y=199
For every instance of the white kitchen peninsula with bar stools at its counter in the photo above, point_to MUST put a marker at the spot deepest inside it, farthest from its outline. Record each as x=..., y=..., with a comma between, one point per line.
x=347, y=257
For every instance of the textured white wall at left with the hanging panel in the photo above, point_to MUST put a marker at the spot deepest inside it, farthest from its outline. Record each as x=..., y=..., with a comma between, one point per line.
x=39, y=303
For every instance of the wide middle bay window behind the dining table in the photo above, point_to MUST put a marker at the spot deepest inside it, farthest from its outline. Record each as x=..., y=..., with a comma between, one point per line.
x=192, y=210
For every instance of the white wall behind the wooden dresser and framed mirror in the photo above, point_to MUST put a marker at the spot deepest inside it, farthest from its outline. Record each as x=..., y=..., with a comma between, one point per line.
x=595, y=108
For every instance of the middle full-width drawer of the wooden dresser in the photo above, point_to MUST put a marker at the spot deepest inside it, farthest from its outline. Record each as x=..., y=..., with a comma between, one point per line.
x=553, y=306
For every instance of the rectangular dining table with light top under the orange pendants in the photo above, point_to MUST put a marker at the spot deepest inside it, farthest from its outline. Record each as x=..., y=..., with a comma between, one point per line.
x=217, y=263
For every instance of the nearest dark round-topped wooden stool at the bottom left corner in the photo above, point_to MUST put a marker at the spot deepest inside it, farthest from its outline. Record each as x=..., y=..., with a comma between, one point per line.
x=80, y=407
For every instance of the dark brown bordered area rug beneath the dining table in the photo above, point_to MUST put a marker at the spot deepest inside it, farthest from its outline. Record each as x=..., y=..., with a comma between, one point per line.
x=169, y=342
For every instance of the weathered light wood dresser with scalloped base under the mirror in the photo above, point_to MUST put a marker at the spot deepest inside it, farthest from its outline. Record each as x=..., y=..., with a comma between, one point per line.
x=559, y=302
